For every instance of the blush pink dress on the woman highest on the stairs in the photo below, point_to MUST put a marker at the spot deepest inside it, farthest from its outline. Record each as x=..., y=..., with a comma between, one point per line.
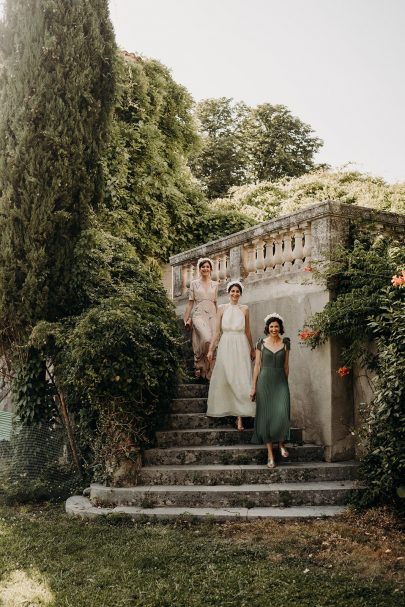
x=203, y=317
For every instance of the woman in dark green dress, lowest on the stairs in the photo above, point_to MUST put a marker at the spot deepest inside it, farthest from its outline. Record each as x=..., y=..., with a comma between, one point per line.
x=270, y=388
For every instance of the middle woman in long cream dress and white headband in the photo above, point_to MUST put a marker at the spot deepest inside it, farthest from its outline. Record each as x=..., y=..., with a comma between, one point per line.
x=231, y=378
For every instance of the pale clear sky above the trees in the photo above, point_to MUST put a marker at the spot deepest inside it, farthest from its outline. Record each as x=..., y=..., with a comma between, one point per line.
x=339, y=65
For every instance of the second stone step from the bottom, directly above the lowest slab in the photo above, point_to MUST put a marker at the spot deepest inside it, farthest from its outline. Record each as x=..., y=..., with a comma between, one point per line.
x=326, y=493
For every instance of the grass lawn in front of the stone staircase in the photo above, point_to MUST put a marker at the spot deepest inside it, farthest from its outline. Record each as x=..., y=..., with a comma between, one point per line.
x=49, y=559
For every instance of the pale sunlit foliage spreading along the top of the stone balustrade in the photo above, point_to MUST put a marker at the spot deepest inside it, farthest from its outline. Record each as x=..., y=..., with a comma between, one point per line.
x=269, y=199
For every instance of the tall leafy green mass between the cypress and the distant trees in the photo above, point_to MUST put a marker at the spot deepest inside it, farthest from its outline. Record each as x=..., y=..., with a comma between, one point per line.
x=151, y=197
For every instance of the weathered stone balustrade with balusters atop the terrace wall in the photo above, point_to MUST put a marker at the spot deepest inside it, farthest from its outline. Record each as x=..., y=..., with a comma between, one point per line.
x=278, y=246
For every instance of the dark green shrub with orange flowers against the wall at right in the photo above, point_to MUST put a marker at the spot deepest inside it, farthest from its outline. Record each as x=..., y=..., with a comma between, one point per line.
x=365, y=308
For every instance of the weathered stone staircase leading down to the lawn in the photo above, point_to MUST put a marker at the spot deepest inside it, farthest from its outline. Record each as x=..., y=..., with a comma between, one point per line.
x=204, y=467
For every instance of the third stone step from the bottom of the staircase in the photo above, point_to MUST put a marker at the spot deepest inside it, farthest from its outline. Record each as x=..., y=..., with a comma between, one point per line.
x=247, y=474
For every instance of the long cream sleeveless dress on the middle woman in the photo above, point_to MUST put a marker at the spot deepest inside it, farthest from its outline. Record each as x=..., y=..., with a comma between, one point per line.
x=232, y=376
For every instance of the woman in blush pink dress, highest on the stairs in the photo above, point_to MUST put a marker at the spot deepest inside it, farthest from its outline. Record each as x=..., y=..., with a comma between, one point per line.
x=200, y=315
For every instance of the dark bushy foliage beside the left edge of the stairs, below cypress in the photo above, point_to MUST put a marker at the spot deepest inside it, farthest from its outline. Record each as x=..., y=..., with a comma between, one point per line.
x=116, y=362
